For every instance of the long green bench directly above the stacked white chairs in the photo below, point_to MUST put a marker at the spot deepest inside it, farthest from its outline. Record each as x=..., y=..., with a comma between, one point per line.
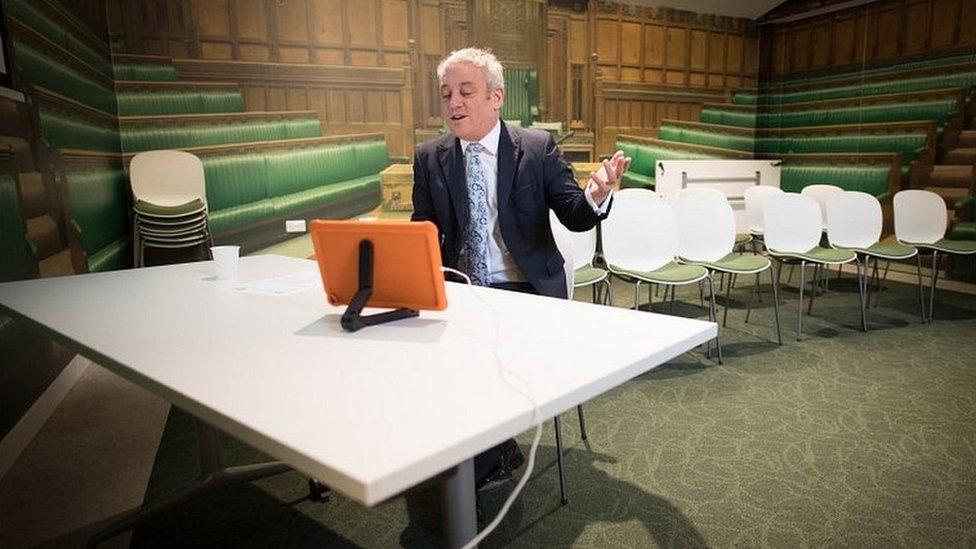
x=198, y=134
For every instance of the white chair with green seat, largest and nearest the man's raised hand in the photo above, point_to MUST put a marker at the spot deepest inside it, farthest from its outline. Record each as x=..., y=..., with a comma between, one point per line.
x=640, y=245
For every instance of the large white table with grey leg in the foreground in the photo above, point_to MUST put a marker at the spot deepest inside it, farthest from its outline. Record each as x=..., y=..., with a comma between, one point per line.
x=370, y=413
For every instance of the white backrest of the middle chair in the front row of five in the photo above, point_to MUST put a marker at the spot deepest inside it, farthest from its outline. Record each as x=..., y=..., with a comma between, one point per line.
x=792, y=223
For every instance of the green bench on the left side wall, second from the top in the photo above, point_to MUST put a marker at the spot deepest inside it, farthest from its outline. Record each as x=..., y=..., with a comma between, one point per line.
x=41, y=70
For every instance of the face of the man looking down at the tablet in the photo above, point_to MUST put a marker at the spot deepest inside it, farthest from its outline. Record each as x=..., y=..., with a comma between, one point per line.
x=469, y=108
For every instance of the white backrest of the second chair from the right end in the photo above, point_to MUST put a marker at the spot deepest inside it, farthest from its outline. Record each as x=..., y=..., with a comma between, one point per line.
x=853, y=220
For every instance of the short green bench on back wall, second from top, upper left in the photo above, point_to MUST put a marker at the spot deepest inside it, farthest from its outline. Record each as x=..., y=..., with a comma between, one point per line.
x=189, y=101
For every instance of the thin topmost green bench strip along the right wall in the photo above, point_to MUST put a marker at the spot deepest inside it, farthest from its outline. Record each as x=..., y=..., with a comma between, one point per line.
x=957, y=80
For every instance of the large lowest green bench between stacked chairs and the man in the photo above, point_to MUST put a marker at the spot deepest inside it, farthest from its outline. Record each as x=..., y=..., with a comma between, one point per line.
x=251, y=194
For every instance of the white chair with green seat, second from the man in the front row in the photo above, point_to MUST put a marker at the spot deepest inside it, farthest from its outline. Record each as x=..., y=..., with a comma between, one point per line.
x=706, y=237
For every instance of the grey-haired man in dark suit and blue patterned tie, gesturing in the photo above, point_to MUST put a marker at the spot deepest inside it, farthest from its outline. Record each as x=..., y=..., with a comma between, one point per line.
x=489, y=187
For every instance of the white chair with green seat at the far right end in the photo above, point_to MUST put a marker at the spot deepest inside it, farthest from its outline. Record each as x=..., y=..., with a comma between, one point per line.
x=921, y=220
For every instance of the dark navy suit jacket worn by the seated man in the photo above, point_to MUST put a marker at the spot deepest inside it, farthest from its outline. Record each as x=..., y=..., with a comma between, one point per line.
x=533, y=178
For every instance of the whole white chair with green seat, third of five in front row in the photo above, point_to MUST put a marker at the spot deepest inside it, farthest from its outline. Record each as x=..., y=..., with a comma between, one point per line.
x=792, y=230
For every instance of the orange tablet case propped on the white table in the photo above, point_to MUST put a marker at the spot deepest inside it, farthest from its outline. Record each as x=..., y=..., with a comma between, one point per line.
x=406, y=262
